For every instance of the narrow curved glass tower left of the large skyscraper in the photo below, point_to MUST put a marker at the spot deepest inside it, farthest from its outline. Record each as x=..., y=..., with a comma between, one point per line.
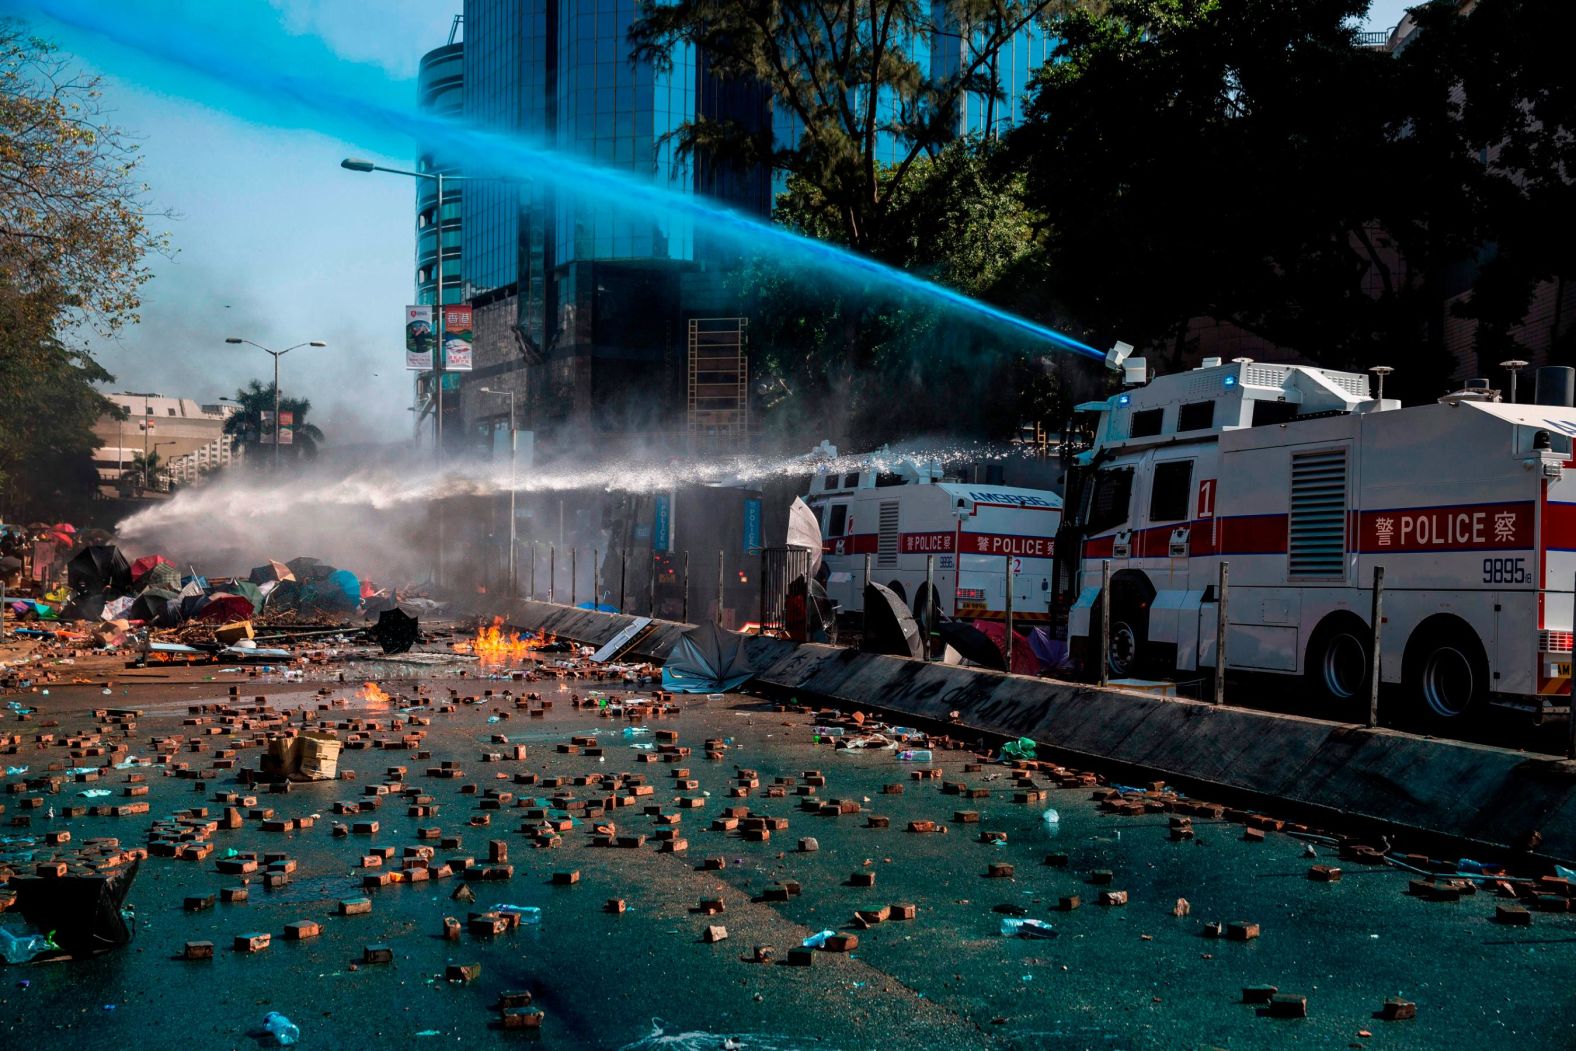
x=440, y=87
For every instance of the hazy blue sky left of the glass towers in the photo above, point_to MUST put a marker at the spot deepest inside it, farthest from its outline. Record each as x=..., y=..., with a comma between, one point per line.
x=273, y=240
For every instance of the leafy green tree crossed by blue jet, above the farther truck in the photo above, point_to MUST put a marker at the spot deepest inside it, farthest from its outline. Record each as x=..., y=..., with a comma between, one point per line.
x=868, y=370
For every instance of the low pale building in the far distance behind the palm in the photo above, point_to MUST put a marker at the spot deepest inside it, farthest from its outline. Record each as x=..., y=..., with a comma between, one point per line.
x=188, y=436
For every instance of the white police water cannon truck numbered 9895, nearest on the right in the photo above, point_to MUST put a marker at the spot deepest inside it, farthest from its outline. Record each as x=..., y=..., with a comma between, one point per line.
x=1306, y=483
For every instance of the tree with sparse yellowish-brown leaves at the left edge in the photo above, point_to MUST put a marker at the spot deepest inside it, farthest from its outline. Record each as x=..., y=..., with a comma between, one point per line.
x=73, y=236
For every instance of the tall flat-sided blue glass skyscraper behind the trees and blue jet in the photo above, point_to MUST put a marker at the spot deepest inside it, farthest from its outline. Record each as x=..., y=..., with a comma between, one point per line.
x=582, y=306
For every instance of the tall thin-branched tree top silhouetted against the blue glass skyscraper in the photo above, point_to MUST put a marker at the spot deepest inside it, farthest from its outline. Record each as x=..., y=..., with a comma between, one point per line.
x=847, y=76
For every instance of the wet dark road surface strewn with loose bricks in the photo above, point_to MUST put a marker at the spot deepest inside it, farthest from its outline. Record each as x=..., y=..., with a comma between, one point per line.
x=1132, y=976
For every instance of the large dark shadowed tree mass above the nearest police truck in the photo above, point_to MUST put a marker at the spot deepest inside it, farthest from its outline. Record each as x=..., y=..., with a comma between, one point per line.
x=1249, y=163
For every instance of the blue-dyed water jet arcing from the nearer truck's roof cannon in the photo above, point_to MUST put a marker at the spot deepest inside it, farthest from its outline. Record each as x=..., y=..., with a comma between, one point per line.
x=243, y=70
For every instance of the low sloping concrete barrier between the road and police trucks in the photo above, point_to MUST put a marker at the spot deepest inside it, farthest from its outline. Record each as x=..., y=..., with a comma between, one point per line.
x=1479, y=793
